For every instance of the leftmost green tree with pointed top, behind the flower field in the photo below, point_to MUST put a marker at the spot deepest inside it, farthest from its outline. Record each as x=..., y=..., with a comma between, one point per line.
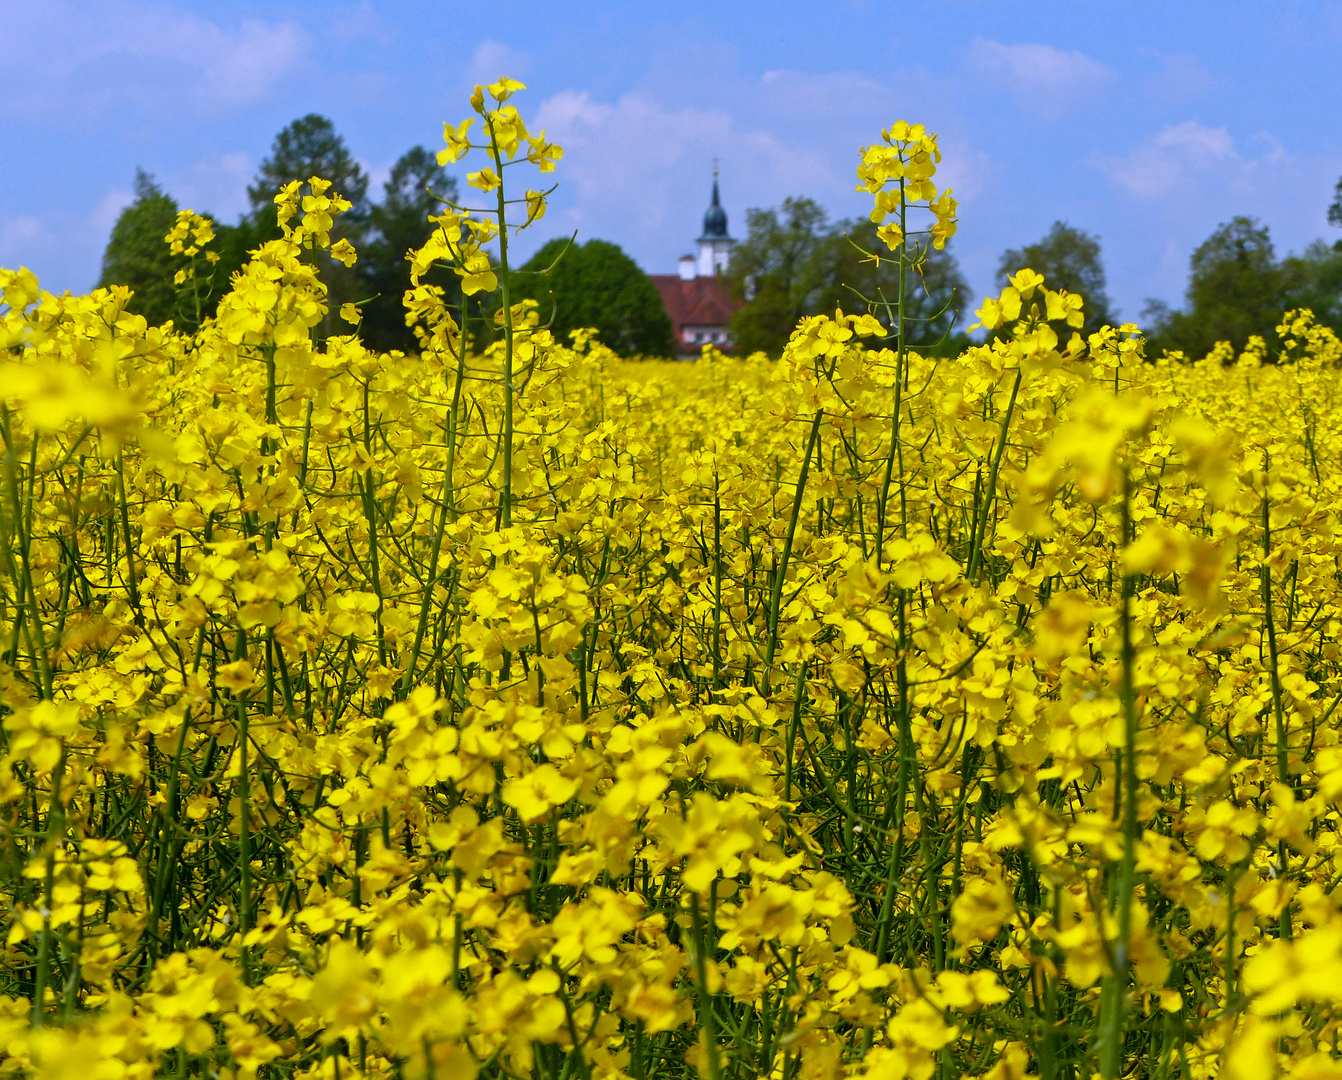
x=138, y=257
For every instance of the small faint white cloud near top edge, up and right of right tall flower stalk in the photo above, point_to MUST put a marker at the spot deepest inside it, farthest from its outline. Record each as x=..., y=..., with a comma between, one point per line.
x=1050, y=83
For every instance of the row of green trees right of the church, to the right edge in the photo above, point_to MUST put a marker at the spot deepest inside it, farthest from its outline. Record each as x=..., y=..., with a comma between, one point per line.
x=796, y=262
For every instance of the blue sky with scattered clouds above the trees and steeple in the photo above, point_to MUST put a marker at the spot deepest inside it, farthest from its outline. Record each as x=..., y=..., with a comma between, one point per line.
x=1147, y=124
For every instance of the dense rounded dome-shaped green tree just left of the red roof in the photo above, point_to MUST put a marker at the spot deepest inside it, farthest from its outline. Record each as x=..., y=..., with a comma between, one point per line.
x=597, y=285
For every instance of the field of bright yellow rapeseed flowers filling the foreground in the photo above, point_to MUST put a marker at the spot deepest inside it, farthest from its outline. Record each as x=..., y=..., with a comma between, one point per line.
x=524, y=713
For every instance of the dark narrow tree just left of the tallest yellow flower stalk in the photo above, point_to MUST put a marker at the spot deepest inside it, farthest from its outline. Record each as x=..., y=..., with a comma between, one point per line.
x=397, y=225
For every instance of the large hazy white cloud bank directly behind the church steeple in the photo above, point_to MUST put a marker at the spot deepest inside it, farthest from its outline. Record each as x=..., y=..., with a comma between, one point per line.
x=638, y=171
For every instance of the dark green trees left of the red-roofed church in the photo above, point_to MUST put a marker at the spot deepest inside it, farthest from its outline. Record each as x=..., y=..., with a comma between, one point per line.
x=576, y=286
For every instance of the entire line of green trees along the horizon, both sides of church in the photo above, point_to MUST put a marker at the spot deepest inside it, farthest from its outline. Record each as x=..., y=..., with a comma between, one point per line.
x=794, y=262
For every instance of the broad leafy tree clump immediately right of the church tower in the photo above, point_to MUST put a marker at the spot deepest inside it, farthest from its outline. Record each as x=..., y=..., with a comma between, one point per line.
x=795, y=262
